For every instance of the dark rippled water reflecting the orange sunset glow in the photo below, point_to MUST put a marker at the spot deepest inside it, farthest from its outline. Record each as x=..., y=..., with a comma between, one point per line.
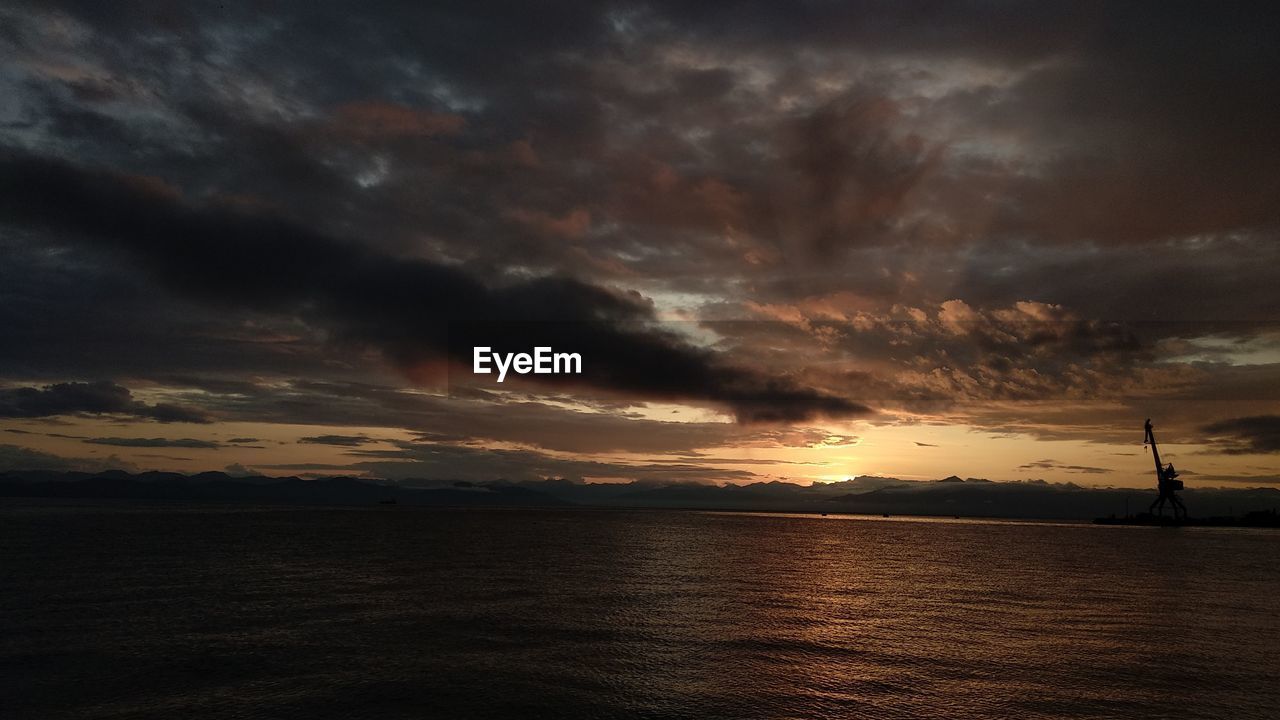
x=135, y=612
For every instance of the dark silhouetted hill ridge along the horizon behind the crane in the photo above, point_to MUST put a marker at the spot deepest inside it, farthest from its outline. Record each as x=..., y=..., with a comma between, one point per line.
x=866, y=495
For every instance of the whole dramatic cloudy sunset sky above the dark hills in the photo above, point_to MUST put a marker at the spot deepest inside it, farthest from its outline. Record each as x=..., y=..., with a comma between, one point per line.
x=790, y=241
